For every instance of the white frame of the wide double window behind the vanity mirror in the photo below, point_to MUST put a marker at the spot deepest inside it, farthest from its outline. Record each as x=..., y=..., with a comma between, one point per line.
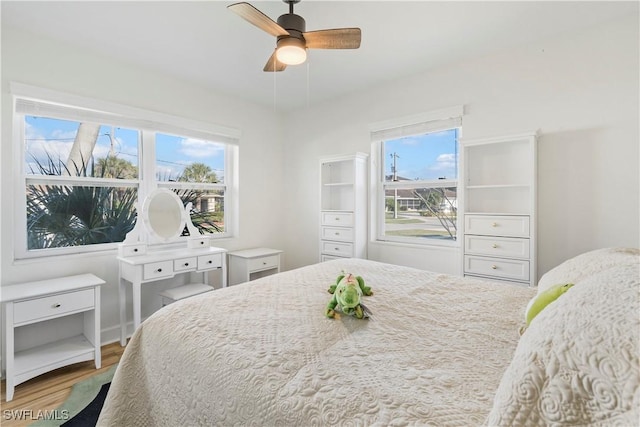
x=77, y=108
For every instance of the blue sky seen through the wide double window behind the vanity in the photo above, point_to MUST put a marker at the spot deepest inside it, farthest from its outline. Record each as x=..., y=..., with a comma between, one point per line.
x=55, y=137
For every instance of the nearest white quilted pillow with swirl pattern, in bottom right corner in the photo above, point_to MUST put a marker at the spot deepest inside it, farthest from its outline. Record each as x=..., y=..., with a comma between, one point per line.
x=578, y=363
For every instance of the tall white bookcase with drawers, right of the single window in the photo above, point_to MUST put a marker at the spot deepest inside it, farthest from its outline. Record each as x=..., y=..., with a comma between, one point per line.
x=498, y=177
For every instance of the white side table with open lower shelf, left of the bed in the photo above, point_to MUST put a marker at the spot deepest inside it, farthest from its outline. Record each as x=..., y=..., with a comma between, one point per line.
x=45, y=300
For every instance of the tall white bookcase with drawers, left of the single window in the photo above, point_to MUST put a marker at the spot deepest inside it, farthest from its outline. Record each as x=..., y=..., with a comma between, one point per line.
x=343, y=206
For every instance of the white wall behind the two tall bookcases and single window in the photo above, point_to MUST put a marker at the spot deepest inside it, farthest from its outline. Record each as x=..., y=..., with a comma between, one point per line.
x=580, y=91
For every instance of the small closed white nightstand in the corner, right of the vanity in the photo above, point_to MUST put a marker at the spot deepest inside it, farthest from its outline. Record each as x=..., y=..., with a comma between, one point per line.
x=251, y=264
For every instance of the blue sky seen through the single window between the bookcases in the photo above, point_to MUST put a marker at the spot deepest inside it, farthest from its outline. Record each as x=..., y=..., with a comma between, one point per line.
x=426, y=157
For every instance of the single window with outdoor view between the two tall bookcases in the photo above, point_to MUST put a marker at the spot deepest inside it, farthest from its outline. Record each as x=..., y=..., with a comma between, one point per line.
x=416, y=179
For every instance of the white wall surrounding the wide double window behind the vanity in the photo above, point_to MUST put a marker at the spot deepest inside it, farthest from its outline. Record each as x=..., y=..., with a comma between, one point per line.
x=35, y=61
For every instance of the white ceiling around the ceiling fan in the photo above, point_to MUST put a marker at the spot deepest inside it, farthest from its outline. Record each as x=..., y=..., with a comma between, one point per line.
x=203, y=42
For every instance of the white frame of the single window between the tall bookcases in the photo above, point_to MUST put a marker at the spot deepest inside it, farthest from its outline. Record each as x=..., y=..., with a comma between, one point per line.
x=420, y=124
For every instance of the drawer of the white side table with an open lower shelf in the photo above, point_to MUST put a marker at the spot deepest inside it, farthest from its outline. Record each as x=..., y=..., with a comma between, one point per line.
x=53, y=306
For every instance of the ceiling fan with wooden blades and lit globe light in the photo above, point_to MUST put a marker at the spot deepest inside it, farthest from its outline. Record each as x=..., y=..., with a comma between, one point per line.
x=292, y=39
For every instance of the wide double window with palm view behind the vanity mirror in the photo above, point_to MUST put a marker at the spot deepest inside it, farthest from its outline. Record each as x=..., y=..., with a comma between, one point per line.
x=84, y=170
